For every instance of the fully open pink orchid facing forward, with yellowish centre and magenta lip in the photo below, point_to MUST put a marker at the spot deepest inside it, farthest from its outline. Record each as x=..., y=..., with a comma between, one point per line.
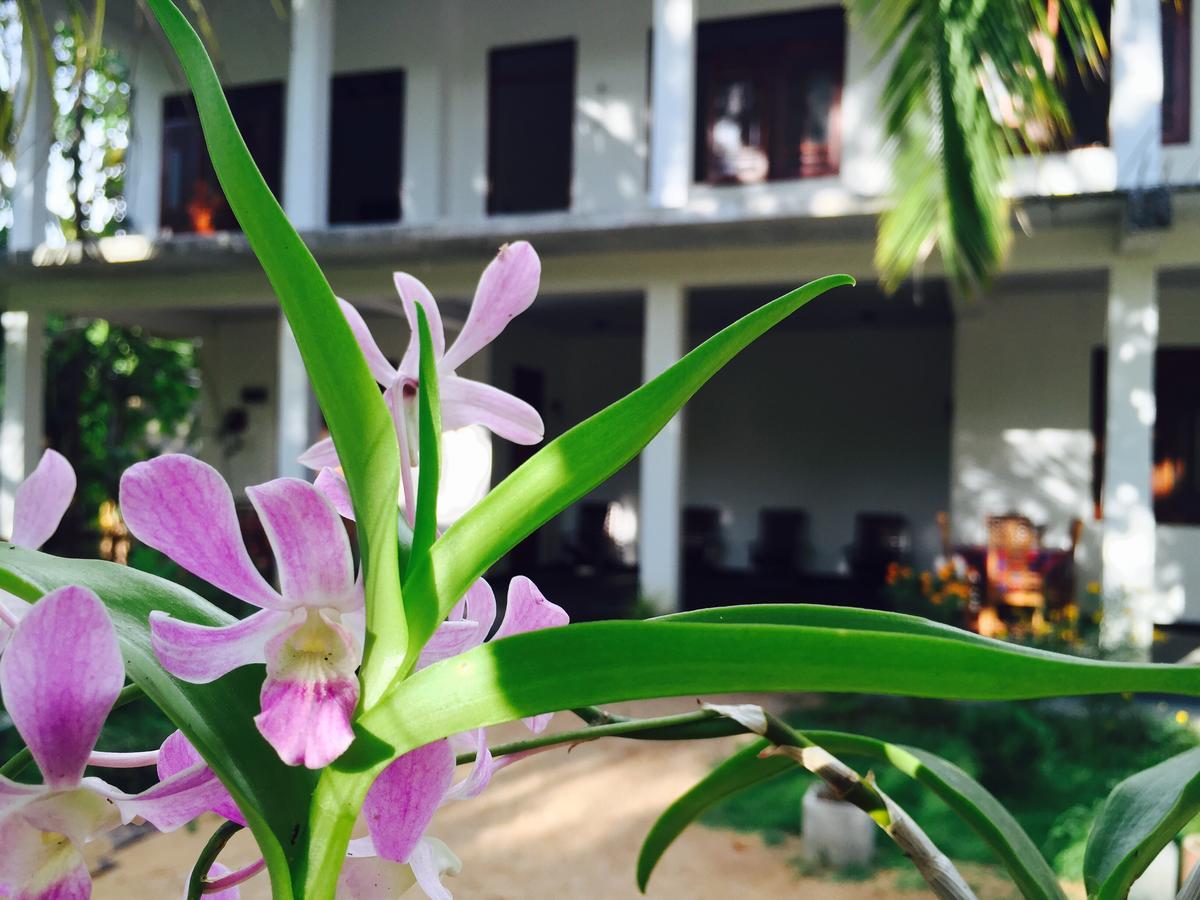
x=304, y=633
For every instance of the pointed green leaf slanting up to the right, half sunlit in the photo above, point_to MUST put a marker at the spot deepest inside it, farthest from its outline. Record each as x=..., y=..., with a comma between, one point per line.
x=571, y=466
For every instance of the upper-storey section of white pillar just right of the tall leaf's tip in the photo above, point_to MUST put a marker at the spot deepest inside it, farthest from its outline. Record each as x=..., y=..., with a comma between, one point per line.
x=307, y=130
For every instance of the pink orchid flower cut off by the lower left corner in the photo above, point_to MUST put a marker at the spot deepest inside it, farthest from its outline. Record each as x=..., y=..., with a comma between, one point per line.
x=59, y=679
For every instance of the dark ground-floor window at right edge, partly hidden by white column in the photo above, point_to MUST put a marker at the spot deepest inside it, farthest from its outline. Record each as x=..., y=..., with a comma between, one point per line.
x=1175, y=481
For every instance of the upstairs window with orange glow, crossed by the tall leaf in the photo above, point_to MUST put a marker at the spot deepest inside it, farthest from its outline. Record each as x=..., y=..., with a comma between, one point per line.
x=193, y=201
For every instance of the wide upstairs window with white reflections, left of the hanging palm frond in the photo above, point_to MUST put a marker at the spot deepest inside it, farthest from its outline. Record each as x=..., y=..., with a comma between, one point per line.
x=769, y=97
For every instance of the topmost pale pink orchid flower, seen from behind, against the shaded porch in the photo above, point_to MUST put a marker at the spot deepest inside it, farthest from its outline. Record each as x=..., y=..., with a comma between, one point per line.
x=506, y=290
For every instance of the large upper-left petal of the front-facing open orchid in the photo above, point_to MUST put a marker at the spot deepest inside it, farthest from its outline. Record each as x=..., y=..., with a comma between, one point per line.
x=182, y=507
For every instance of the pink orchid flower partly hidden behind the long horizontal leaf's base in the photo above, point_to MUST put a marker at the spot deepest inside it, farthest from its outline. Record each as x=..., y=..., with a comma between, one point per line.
x=404, y=799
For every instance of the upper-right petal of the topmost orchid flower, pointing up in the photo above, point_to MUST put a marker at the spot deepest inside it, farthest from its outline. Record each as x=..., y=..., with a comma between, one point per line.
x=506, y=290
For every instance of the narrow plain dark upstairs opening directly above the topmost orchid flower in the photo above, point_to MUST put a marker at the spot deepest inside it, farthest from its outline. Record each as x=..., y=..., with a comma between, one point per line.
x=531, y=125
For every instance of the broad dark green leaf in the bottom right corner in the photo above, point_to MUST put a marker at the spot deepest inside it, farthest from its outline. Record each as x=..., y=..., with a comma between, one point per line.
x=1142, y=815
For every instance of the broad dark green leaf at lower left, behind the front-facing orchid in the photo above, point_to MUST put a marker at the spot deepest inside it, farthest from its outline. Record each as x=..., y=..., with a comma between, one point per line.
x=217, y=718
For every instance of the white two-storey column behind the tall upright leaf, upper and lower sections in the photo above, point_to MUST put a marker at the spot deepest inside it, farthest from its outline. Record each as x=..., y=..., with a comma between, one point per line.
x=307, y=202
